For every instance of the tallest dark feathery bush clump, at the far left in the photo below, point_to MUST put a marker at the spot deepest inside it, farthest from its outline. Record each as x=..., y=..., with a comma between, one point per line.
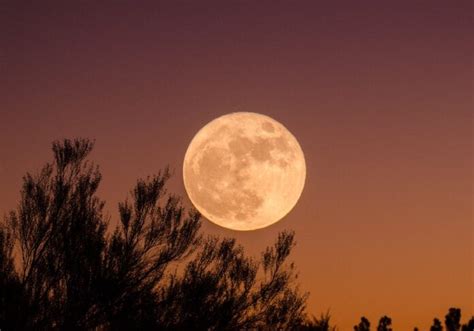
x=59, y=229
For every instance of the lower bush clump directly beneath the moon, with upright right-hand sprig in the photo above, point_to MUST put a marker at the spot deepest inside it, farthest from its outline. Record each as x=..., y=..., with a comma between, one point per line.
x=226, y=282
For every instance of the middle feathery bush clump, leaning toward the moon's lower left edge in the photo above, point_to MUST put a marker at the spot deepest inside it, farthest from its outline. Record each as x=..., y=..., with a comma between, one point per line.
x=153, y=235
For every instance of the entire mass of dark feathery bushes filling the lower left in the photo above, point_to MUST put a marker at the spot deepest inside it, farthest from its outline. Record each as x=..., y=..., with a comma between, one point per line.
x=154, y=271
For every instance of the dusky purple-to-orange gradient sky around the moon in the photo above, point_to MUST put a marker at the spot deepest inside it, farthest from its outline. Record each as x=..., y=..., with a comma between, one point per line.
x=378, y=94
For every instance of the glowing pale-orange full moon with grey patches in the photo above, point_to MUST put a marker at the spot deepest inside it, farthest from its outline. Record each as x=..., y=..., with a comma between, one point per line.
x=244, y=171
